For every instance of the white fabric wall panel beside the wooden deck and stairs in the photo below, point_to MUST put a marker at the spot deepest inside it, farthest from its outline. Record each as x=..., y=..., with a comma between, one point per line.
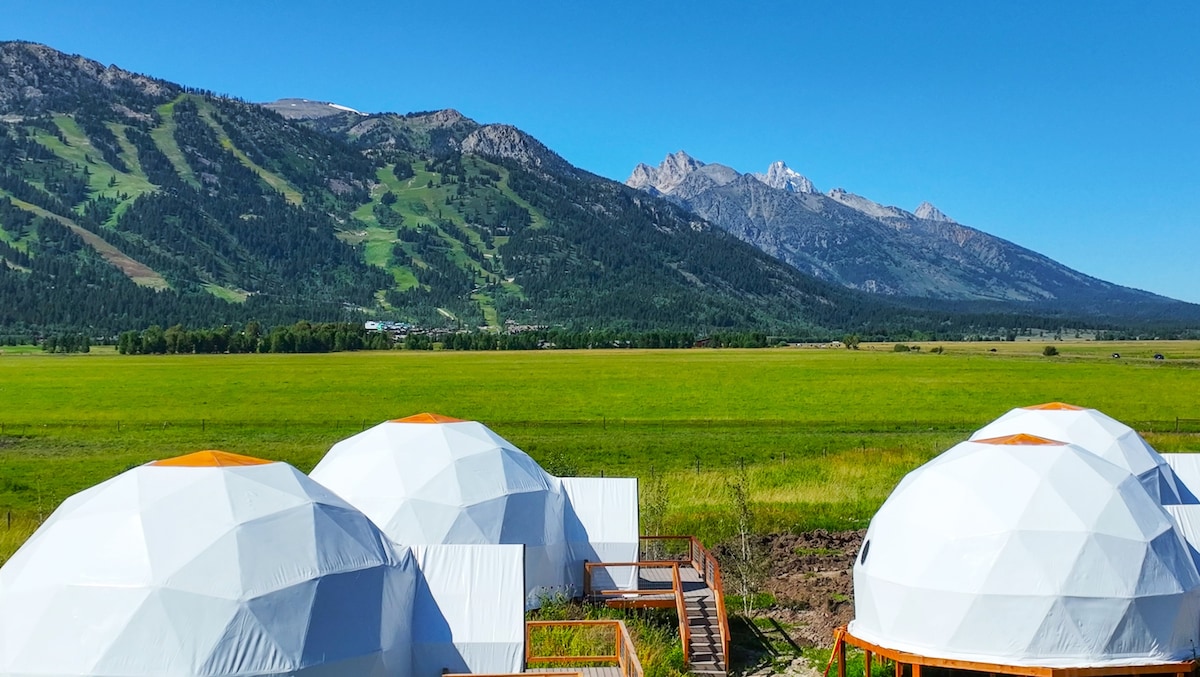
x=602, y=526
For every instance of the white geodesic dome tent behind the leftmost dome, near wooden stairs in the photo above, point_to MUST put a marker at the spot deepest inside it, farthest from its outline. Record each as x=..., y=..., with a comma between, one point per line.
x=430, y=480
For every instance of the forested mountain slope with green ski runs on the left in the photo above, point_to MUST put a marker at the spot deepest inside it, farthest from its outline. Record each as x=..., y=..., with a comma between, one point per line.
x=128, y=201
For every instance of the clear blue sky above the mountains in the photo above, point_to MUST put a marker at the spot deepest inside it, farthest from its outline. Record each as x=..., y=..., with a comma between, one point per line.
x=1067, y=128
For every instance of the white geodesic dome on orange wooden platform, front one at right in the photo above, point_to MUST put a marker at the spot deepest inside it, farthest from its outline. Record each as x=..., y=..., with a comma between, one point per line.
x=1029, y=553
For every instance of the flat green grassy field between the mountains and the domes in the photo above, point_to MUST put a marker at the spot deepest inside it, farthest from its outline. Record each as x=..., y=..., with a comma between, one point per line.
x=823, y=435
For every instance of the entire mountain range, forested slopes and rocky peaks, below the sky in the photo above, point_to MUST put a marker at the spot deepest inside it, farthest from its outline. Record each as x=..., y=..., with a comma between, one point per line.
x=129, y=201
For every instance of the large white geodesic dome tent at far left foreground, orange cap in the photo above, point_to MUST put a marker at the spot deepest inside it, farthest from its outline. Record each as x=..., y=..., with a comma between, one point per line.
x=207, y=565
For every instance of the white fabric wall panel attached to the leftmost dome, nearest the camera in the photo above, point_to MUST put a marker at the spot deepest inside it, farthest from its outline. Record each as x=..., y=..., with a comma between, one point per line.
x=469, y=615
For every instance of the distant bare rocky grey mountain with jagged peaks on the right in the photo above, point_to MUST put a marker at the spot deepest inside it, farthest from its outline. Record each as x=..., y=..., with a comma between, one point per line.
x=861, y=244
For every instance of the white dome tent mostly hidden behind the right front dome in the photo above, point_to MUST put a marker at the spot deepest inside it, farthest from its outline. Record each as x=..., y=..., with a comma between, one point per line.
x=1101, y=435
